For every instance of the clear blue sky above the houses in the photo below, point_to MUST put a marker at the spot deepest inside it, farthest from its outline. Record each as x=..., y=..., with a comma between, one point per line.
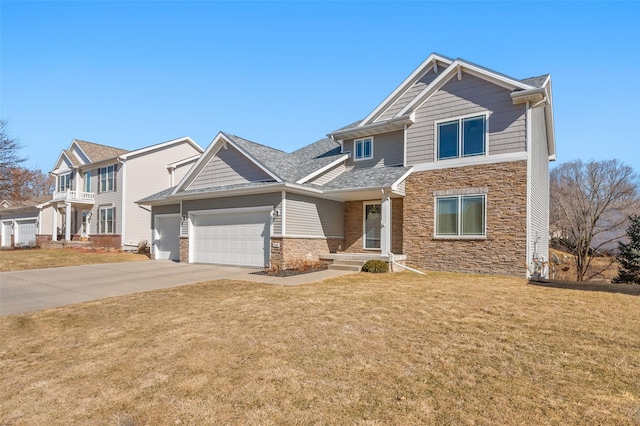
x=132, y=74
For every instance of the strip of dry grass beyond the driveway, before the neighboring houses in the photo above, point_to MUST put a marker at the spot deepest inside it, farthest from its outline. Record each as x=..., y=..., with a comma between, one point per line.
x=19, y=260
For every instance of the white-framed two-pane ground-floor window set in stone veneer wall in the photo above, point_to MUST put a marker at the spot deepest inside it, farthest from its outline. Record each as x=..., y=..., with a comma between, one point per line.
x=463, y=215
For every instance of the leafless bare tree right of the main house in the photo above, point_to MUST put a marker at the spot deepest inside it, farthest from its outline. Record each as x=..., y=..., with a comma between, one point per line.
x=590, y=206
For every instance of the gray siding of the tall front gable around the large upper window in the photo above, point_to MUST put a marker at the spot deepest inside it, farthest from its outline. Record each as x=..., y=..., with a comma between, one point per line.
x=462, y=97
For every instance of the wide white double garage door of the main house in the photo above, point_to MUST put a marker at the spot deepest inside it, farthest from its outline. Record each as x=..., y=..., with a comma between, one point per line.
x=237, y=238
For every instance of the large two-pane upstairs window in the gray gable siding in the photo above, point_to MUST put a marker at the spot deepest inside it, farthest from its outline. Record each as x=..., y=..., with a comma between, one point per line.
x=462, y=137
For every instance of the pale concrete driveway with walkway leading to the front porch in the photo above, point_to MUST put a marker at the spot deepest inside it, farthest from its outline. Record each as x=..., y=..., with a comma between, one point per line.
x=32, y=290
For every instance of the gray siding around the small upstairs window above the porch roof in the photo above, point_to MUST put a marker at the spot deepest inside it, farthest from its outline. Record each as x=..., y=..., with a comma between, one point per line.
x=387, y=151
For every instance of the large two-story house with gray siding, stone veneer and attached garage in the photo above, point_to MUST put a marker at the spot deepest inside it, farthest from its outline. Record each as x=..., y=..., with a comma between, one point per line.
x=449, y=172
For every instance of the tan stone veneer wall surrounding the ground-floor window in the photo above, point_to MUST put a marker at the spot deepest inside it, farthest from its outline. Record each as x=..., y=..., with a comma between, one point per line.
x=503, y=251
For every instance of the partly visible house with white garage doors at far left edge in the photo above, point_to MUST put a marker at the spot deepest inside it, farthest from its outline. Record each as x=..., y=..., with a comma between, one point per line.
x=20, y=221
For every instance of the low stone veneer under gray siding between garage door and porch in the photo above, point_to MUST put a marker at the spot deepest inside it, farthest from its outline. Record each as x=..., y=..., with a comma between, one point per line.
x=292, y=249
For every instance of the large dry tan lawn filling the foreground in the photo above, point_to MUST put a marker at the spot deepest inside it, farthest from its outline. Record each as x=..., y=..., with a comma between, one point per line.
x=361, y=349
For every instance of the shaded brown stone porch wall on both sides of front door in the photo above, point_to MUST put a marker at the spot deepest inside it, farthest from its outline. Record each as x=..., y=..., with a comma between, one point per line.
x=353, y=216
